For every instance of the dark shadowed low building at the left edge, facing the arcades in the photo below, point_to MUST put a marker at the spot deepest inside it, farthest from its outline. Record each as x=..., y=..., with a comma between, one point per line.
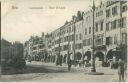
x=11, y=50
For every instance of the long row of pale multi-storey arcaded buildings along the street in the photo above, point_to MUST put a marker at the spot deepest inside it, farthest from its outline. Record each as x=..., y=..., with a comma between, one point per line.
x=76, y=35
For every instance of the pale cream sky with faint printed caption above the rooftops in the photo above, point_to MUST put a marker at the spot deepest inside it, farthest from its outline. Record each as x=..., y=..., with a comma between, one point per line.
x=24, y=18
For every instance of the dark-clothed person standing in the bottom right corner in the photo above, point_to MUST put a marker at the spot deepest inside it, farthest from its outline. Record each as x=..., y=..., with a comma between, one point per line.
x=121, y=70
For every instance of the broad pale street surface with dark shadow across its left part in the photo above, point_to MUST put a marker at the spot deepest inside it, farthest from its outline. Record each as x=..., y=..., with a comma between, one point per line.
x=48, y=72
